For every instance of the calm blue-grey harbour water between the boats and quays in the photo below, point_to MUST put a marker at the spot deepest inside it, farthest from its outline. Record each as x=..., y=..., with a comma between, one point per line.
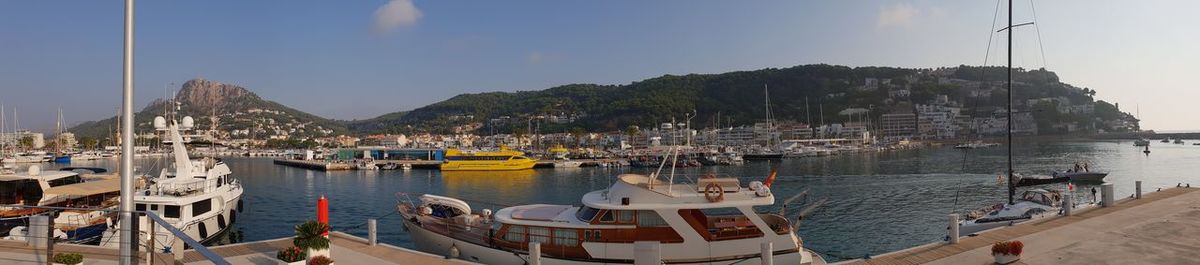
x=878, y=203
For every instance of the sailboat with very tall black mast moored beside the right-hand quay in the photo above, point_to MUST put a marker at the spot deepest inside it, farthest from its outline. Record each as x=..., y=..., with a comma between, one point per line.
x=1034, y=203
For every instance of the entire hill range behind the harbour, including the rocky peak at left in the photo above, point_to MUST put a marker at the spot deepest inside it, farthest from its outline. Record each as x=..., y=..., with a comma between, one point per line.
x=797, y=94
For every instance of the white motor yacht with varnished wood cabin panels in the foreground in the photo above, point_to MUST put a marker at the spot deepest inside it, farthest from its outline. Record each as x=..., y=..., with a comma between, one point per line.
x=711, y=222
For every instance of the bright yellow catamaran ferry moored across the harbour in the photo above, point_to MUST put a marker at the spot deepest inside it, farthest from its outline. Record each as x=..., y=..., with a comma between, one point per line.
x=502, y=160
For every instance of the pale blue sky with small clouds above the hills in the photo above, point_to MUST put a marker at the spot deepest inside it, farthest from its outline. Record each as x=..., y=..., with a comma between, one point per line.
x=362, y=59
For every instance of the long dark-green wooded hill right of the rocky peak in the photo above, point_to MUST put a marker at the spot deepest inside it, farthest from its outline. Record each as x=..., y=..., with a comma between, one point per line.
x=739, y=98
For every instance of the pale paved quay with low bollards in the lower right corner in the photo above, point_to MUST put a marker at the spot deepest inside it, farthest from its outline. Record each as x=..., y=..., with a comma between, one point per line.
x=1159, y=228
